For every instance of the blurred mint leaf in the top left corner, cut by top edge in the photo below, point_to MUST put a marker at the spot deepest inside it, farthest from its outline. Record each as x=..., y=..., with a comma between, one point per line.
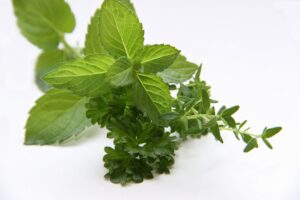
x=43, y=22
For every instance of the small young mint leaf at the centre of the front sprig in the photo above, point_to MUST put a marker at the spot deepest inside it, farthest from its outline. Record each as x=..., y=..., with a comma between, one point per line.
x=120, y=73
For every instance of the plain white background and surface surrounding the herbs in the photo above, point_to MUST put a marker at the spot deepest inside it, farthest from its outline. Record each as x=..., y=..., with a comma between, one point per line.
x=251, y=55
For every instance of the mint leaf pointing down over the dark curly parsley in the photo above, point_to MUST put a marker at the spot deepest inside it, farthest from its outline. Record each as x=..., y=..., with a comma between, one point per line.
x=152, y=96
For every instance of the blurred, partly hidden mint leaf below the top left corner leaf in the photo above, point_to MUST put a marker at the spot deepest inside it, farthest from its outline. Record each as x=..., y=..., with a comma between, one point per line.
x=46, y=62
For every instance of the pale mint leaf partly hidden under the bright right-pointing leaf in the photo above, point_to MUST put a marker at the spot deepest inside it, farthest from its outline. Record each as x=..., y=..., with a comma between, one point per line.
x=180, y=71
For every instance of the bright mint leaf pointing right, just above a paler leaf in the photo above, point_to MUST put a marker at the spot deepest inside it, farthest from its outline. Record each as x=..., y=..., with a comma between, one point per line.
x=156, y=58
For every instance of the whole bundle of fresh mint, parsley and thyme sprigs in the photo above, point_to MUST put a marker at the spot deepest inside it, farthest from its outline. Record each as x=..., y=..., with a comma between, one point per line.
x=120, y=83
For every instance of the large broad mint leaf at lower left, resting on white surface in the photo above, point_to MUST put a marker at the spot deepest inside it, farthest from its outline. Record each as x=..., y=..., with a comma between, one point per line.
x=57, y=116
